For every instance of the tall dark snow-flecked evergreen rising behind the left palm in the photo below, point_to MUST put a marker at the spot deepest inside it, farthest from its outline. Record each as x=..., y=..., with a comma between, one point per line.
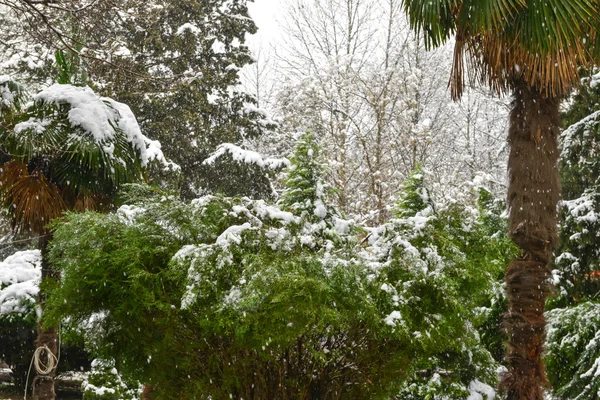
x=178, y=69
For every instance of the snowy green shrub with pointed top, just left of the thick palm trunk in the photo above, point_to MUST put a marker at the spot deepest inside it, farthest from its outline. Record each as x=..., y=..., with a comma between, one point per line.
x=438, y=269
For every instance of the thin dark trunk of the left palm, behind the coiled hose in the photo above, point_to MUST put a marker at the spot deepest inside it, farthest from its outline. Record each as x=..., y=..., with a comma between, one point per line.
x=43, y=387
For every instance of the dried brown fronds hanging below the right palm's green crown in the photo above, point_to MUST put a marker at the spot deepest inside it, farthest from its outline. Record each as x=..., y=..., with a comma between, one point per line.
x=541, y=44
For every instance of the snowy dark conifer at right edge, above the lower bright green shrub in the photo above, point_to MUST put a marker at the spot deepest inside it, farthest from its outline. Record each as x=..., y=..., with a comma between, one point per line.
x=577, y=258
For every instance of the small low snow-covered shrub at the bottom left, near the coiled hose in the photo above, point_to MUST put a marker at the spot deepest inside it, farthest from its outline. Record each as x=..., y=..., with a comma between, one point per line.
x=105, y=383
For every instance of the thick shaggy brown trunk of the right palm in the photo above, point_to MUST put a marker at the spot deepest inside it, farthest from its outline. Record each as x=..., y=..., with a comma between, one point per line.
x=533, y=194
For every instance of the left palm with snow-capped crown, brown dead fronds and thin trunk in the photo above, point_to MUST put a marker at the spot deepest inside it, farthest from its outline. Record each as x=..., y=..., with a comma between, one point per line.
x=68, y=149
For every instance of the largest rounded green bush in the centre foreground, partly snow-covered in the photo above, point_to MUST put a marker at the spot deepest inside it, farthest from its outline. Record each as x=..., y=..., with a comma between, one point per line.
x=247, y=308
